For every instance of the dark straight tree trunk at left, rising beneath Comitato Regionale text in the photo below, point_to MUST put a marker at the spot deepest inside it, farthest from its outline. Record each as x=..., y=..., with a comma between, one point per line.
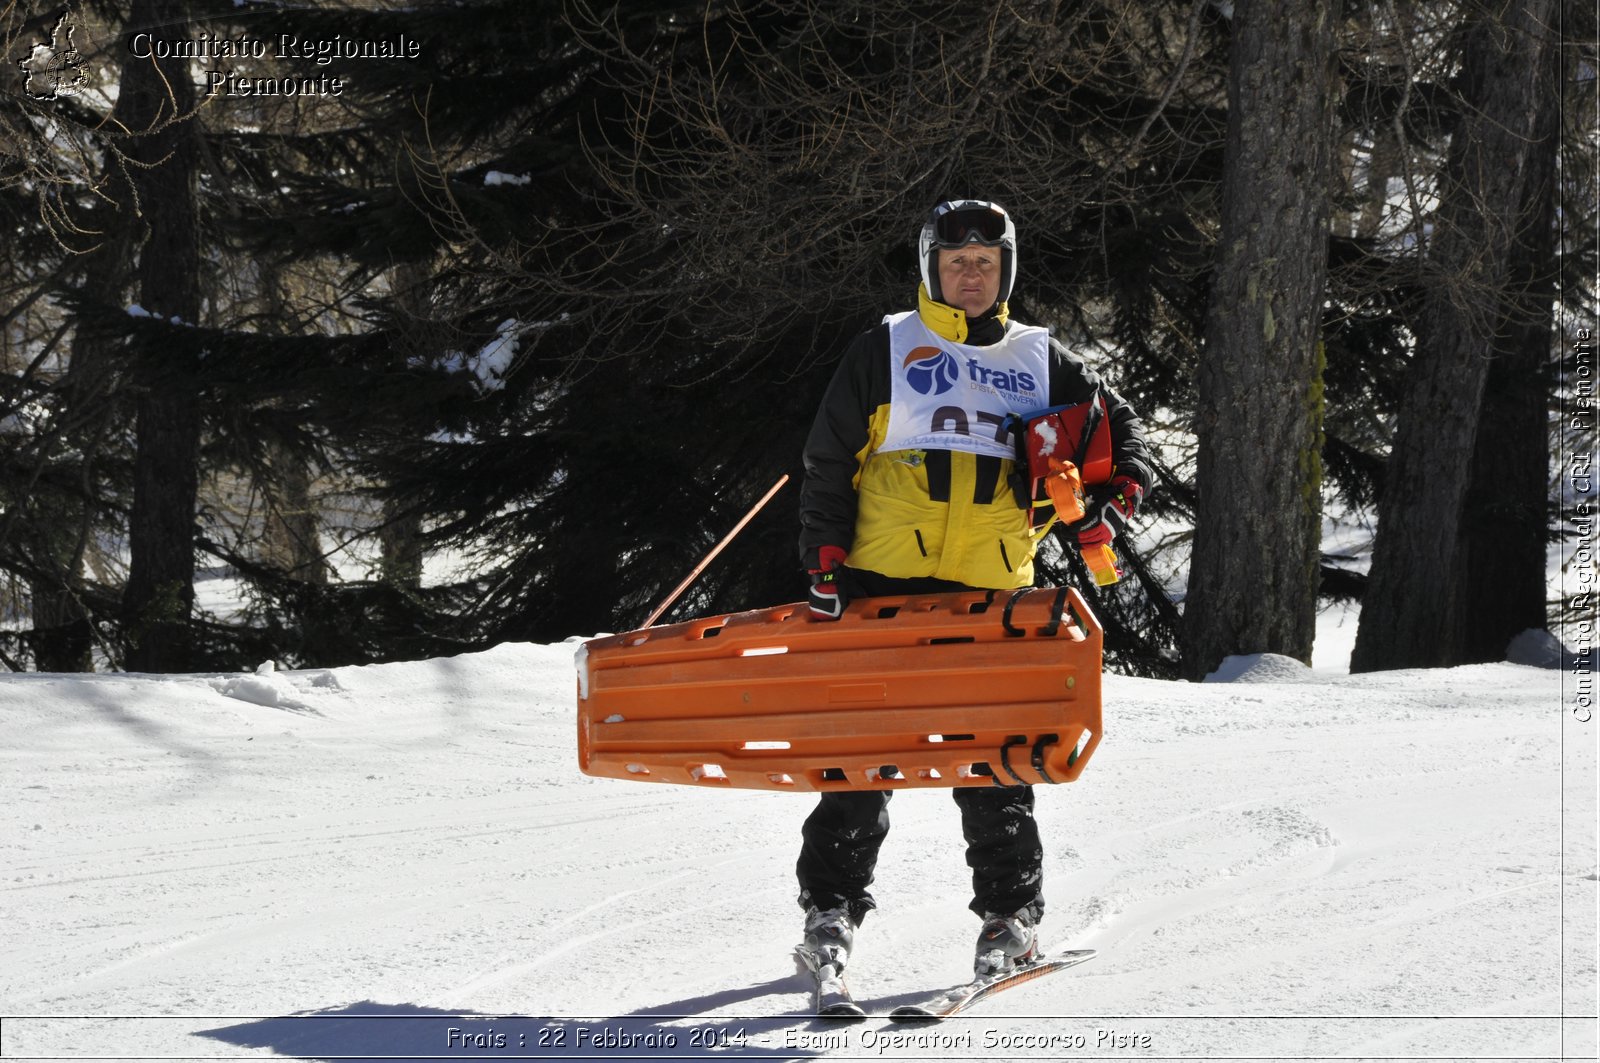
x=159, y=596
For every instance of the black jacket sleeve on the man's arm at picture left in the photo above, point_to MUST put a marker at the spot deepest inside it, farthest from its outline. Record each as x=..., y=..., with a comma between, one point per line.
x=828, y=495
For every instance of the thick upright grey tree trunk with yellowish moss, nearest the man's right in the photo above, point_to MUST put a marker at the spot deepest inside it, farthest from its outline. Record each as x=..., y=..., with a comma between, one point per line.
x=1254, y=574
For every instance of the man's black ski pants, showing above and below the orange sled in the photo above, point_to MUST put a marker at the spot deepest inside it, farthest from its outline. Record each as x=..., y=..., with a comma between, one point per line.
x=842, y=836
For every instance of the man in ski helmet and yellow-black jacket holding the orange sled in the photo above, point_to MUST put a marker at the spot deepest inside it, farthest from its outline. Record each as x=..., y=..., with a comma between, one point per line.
x=913, y=487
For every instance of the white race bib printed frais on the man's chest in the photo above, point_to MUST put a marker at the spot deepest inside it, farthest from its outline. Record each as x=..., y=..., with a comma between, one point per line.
x=953, y=396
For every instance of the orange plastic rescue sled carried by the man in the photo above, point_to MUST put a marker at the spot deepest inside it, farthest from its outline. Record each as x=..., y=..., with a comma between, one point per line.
x=967, y=689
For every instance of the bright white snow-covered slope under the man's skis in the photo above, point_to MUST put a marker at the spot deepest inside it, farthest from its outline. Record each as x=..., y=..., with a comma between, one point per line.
x=404, y=862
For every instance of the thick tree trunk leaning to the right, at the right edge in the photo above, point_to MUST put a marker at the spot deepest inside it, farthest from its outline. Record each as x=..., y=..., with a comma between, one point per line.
x=1414, y=612
